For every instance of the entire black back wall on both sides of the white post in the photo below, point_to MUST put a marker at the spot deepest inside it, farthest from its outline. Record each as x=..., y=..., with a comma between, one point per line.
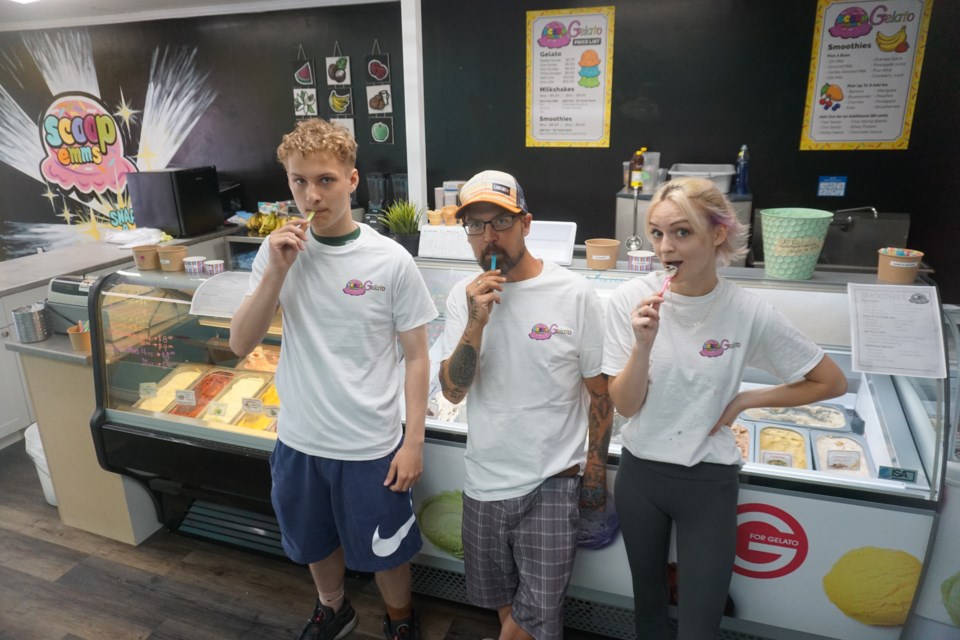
x=693, y=79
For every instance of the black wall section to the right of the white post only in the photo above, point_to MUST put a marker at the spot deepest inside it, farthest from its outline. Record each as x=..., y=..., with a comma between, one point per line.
x=693, y=79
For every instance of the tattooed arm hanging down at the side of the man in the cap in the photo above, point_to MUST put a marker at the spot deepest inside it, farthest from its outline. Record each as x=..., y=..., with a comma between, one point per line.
x=593, y=491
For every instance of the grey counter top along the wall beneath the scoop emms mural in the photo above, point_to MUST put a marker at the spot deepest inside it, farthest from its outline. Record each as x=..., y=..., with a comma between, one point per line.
x=27, y=272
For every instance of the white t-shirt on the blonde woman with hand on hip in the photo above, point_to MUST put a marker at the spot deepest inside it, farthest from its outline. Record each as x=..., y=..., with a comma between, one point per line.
x=696, y=371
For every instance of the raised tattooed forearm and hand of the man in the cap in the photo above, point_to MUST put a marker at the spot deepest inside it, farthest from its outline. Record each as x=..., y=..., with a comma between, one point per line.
x=458, y=371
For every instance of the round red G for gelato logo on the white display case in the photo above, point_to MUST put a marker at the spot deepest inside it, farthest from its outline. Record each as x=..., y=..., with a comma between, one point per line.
x=770, y=542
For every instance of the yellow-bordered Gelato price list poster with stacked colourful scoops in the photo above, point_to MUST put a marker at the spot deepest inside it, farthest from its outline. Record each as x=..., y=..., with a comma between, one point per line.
x=569, y=77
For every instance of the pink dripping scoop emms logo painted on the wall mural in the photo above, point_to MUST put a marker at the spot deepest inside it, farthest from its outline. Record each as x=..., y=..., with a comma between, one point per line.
x=84, y=152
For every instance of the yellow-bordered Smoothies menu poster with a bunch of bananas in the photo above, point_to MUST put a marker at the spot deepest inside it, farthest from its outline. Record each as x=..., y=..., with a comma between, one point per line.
x=864, y=74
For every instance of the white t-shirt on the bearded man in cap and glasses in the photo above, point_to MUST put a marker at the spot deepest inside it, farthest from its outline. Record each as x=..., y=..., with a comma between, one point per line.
x=528, y=406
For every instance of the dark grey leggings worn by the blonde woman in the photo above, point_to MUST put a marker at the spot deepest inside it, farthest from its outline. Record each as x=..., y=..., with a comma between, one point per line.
x=702, y=502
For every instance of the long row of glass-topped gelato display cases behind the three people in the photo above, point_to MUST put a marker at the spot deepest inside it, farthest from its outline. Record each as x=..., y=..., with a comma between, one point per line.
x=838, y=500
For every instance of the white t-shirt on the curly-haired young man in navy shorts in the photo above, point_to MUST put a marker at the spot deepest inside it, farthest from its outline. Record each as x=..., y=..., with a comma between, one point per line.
x=338, y=377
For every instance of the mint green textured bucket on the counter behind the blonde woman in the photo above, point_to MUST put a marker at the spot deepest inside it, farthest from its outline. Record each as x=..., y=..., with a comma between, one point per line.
x=792, y=240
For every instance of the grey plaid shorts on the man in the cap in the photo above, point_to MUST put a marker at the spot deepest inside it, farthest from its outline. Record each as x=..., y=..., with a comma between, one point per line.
x=520, y=552
